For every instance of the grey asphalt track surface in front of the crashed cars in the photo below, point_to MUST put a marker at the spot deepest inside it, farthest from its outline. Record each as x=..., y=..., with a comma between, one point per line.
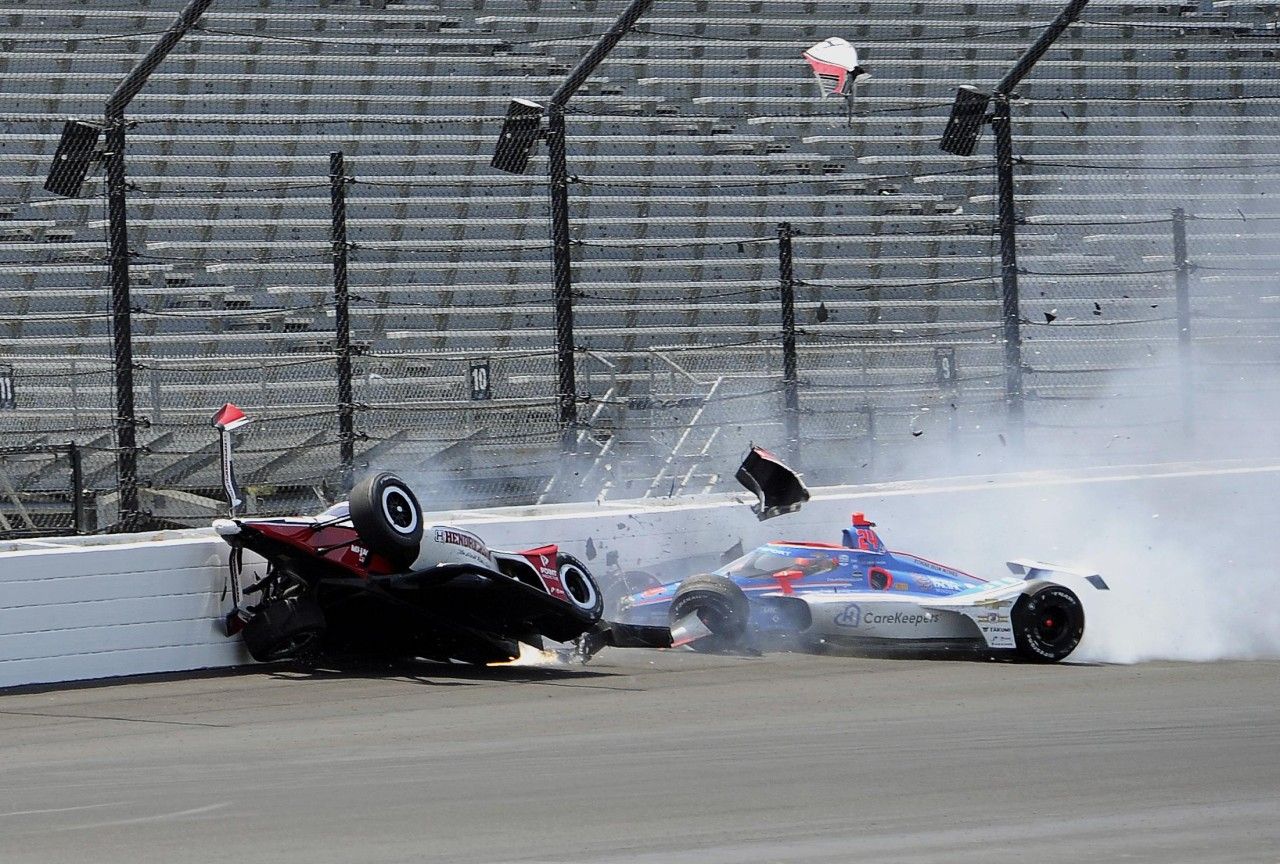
x=655, y=758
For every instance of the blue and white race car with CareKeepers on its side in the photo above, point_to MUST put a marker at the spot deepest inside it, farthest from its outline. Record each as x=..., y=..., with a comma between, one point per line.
x=861, y=595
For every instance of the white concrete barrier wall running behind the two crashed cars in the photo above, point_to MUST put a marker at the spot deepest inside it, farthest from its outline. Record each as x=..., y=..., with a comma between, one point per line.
x=100, y=607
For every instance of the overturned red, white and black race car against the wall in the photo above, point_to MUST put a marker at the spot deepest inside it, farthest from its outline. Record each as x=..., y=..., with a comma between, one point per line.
x=368, y=578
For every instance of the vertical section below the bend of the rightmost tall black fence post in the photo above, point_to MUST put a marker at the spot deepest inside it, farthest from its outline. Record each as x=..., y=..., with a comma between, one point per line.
x=1007, y=222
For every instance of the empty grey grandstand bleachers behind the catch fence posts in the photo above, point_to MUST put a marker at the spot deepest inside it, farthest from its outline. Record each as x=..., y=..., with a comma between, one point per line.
x=691, y=145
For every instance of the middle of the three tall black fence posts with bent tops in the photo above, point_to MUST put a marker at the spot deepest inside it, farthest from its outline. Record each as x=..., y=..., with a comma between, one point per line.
x=563, y=255
